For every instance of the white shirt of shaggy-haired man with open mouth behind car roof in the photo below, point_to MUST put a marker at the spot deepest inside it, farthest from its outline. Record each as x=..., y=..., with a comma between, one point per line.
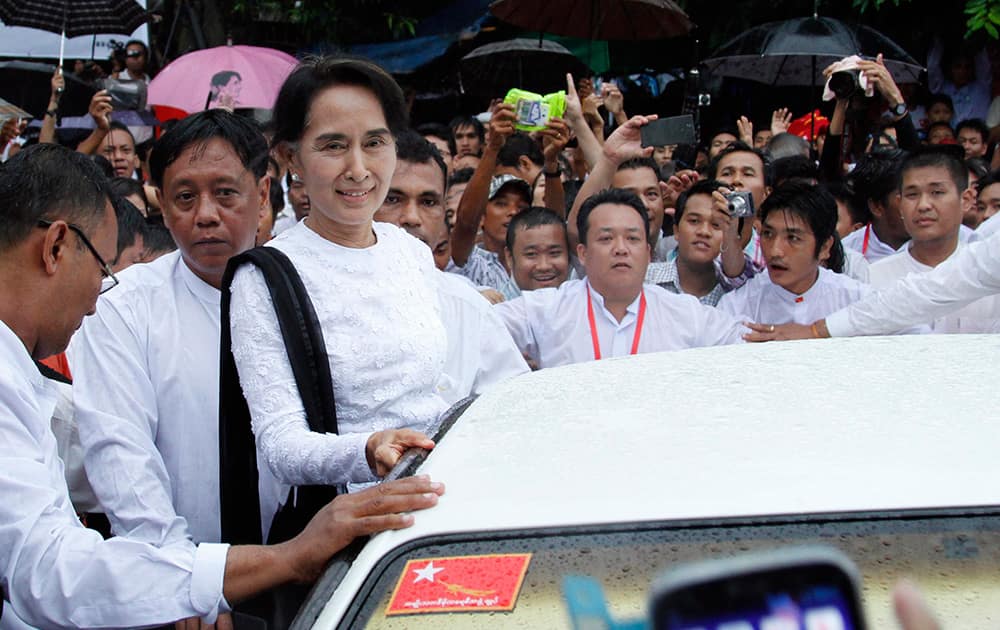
x=762, y=301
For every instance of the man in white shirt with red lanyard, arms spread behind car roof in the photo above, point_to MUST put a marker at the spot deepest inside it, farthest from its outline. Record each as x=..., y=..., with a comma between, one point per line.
x=611, y=313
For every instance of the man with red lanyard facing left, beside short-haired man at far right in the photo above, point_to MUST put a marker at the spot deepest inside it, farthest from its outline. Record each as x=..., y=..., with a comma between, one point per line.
x=876, y=183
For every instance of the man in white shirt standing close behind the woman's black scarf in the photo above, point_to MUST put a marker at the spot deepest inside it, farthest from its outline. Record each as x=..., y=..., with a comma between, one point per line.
x=146, y=366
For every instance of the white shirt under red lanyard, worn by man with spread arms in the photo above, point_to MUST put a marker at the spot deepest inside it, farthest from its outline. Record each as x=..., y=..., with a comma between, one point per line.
x=552, y=327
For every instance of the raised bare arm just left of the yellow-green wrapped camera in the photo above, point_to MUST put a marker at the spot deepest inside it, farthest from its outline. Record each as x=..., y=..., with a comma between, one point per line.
x=473, y=202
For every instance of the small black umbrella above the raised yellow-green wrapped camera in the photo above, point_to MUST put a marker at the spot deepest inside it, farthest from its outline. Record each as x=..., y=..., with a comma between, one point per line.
x=530, y=64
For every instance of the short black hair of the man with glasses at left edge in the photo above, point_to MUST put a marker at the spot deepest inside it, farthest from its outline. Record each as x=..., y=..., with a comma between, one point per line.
x=48, y=181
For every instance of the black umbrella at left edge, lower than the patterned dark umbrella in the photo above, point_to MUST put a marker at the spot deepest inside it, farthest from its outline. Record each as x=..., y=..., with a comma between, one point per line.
x=28, y=85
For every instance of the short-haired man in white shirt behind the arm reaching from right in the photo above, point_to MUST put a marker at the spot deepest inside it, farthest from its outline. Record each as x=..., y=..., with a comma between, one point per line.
x=933, y=194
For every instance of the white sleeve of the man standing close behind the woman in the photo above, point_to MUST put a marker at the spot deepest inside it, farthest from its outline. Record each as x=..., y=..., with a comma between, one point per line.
x=116, y=413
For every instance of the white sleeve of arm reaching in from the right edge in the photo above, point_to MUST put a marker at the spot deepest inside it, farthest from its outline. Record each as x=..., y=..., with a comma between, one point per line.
x=920, y=298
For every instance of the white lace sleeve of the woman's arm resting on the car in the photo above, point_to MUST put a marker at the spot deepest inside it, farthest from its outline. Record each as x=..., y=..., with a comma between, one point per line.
x=295, y=454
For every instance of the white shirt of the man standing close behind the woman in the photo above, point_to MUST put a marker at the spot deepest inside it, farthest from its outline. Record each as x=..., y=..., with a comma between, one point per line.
x=146, y=365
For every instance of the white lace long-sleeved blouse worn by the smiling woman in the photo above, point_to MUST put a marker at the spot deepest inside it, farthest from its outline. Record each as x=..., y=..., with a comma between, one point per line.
x=381, y=323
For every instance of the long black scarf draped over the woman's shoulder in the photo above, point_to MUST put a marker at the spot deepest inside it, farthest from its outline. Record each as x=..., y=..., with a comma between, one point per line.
x=303, y=337
